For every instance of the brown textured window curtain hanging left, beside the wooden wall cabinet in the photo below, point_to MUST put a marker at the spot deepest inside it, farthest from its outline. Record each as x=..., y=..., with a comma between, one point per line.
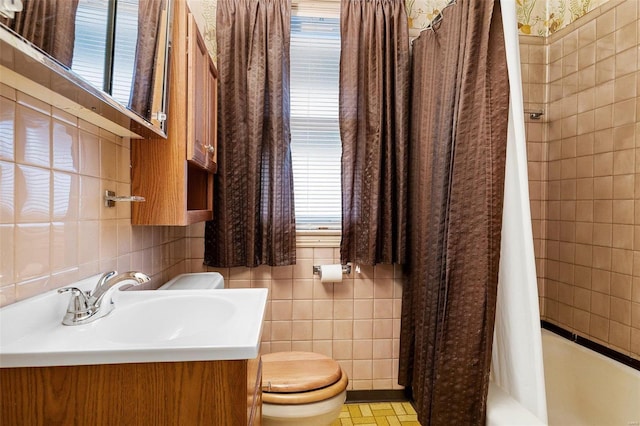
x=254, y=220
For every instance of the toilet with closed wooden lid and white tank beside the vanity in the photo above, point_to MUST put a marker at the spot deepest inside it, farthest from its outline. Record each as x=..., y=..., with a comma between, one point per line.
x=298, y=388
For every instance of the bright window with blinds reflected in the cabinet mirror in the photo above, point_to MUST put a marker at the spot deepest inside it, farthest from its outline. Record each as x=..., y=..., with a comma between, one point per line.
x=90, y=58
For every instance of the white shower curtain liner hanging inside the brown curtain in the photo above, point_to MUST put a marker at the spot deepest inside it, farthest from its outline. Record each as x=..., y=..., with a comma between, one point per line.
x=517, y=349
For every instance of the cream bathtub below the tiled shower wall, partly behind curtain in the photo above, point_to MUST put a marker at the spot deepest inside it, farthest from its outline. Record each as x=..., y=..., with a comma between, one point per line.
x=583, y=388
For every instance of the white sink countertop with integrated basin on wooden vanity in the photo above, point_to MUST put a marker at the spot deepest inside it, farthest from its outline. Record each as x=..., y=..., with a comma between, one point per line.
x=145, y=326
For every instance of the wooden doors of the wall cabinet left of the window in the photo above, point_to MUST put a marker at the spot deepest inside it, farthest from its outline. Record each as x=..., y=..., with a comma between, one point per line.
x=197, y=93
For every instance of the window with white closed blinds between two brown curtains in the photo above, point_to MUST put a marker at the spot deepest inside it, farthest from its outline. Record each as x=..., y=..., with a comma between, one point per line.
x=315, y=134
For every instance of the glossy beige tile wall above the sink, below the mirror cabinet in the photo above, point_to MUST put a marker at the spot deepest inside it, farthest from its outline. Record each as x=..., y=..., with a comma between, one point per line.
x=54, y=228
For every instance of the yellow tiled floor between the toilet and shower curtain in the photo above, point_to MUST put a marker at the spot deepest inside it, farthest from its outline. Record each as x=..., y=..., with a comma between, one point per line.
x=378, y=414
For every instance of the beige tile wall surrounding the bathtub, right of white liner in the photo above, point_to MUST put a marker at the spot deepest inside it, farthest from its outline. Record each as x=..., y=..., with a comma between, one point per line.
x=584, y=160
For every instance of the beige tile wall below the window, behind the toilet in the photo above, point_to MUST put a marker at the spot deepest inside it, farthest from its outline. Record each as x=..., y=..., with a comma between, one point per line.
x=357, y=321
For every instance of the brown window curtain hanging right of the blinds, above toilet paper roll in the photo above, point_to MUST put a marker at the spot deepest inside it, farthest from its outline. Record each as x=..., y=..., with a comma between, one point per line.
x=374, y=126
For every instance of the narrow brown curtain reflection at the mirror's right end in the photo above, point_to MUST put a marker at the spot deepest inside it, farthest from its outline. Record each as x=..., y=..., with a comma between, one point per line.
x=149, y=13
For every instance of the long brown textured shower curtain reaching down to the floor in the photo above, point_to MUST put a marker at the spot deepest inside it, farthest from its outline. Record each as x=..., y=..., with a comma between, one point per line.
x=457, y=151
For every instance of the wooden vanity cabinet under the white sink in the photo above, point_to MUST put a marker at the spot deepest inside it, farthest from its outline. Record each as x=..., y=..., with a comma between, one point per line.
x=218, y=393
